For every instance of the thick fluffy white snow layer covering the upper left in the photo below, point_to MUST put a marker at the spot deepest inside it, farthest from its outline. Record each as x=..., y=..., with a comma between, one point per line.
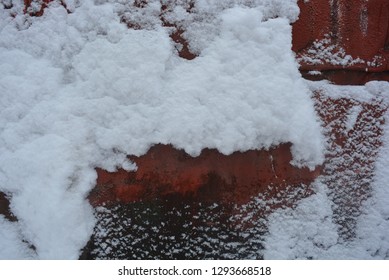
x=81, y=90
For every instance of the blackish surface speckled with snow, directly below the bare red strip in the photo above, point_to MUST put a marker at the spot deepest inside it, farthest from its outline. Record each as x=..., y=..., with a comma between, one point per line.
x=207, y=230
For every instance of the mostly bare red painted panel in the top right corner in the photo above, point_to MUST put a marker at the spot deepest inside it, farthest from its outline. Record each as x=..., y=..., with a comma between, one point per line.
x=360, y=27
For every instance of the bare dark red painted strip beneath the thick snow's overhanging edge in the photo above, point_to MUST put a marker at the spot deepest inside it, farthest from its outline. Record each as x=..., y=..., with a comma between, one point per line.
x=211, y=176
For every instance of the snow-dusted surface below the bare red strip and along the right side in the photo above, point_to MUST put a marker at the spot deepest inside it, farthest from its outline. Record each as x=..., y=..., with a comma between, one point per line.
x=346, y=217
